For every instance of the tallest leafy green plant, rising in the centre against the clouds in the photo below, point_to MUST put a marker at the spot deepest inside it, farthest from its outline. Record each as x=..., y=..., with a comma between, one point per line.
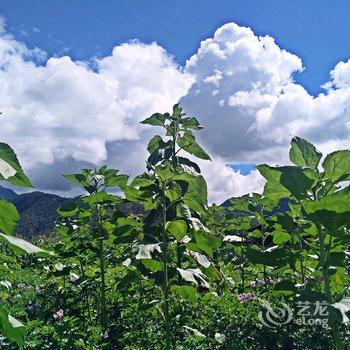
x=176, y=195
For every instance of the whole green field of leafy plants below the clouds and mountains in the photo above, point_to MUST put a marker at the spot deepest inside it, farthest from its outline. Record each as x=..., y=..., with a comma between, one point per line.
x=261, y=271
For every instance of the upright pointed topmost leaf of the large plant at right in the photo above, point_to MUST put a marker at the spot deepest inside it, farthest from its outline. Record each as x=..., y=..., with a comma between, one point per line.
x=304, y=154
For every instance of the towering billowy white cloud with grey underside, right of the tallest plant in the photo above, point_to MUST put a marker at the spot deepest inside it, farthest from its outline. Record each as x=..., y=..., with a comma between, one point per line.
x=245, y=95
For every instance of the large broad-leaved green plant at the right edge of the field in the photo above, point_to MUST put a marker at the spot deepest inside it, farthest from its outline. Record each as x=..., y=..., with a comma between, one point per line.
x=323, y=205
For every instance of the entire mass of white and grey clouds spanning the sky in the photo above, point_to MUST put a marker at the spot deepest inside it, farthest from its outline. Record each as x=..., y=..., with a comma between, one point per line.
x=61, y=115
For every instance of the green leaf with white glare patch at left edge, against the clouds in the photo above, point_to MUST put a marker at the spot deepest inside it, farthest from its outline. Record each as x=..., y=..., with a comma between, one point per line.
x=10, y=169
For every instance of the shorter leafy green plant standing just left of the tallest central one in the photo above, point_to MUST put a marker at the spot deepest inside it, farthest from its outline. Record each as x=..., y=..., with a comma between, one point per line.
x=89, y=226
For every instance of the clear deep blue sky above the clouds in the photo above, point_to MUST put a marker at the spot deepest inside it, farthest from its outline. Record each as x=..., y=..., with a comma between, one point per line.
x=317, y=31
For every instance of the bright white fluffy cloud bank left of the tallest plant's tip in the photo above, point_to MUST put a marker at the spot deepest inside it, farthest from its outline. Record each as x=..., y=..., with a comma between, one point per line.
x=65, y=109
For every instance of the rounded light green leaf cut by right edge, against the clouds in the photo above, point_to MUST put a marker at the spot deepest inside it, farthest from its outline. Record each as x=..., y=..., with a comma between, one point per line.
x=337, y=166
